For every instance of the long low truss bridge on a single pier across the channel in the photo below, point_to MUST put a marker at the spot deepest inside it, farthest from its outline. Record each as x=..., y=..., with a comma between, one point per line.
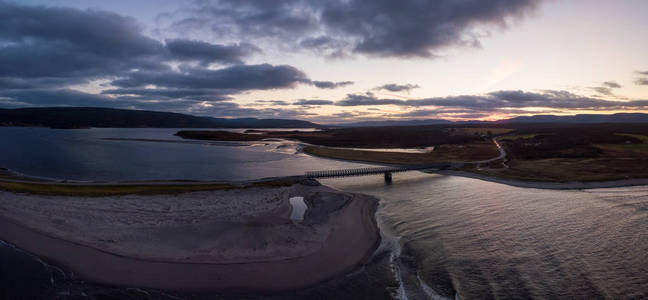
x=387, y=171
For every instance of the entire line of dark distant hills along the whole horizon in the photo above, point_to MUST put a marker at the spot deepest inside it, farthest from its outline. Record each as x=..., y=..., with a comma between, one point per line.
x=83, y=117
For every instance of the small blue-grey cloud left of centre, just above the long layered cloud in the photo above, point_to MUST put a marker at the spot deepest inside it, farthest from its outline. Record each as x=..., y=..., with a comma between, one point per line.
x=209, y=53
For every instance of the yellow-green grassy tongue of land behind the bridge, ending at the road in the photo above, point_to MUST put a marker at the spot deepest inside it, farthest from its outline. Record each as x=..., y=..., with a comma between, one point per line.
x=441, y=153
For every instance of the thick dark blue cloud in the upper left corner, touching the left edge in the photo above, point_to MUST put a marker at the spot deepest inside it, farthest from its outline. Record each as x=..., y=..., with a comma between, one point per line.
x=38, y=41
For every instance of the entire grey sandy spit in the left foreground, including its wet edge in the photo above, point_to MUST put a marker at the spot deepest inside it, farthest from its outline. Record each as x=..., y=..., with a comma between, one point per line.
x=343, y=225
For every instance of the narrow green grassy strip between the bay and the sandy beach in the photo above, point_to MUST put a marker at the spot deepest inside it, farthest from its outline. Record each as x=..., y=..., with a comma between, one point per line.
x=118, y=189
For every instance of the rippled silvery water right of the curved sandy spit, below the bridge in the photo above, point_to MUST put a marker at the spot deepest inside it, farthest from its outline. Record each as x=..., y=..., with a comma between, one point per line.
x=487, y=240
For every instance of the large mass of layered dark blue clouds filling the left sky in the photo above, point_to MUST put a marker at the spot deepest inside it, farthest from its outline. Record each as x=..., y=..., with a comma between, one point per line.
x=45, y=50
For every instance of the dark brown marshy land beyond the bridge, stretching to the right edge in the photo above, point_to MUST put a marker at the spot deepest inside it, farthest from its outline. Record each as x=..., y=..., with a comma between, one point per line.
x=534, y=152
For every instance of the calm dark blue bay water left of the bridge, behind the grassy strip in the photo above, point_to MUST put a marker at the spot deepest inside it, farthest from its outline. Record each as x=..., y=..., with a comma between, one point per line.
x=84, y=154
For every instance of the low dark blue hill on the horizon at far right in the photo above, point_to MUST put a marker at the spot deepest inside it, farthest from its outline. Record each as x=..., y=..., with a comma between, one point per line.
x=588, y=118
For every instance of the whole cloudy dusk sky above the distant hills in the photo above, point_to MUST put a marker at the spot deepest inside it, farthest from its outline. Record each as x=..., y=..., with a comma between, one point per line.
x=330, y=61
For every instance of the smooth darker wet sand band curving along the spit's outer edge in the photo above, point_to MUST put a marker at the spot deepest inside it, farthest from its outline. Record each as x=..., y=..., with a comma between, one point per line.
x=353, y=238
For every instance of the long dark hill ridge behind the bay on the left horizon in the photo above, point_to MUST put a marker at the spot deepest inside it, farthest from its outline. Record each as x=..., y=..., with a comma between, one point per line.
x=83, y=117
